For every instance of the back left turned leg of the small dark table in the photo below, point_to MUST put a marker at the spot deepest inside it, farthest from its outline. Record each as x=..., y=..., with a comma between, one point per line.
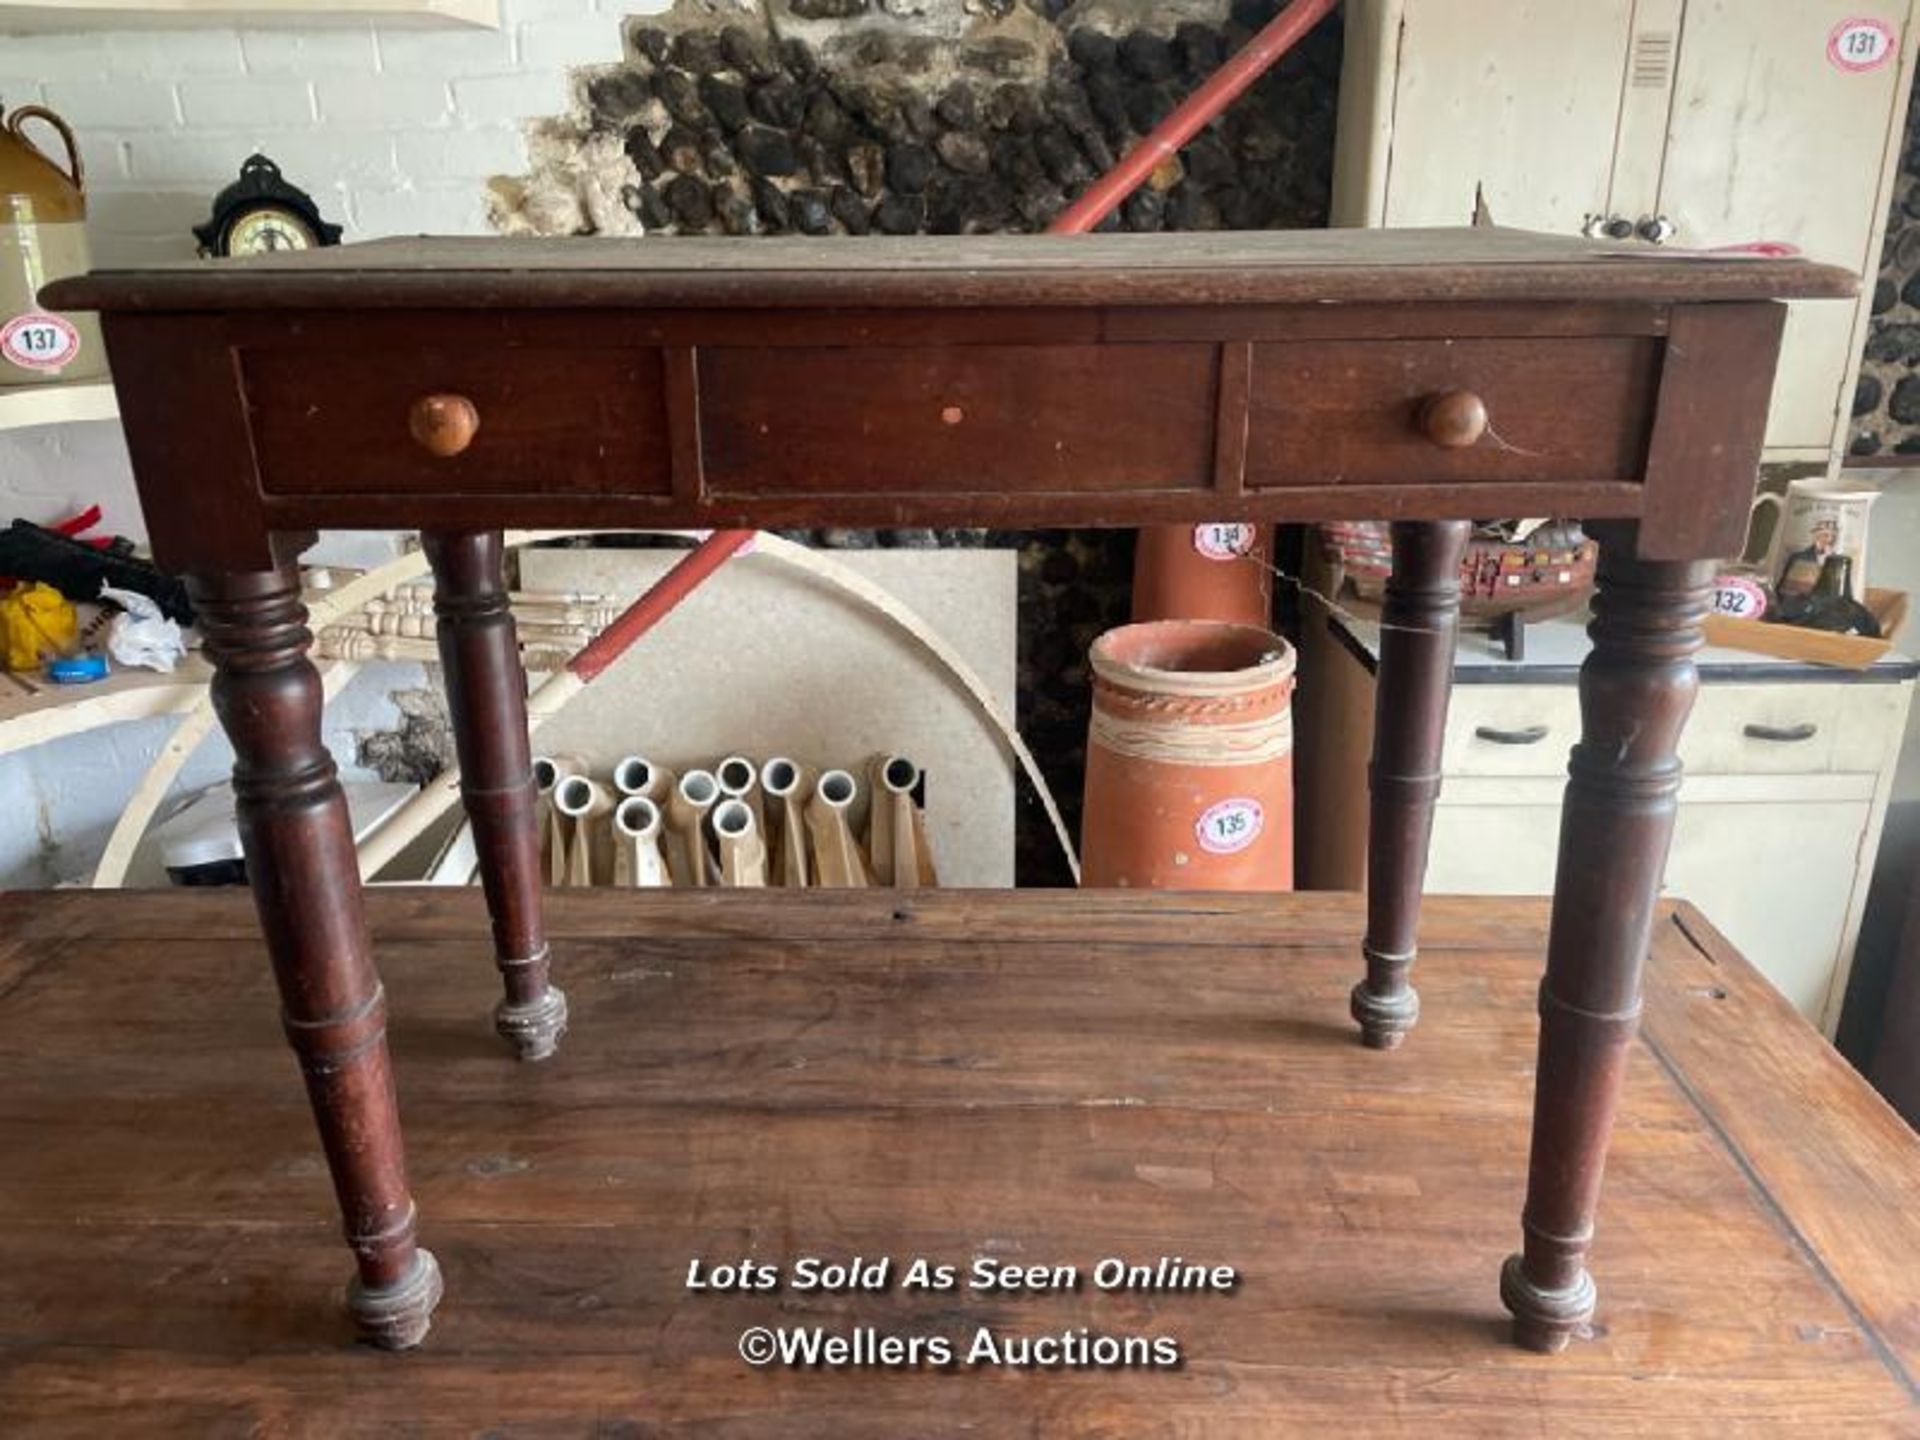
x=487, y=694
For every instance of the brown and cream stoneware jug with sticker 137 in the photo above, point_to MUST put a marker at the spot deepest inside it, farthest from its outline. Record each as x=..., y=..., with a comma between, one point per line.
x=43, y=239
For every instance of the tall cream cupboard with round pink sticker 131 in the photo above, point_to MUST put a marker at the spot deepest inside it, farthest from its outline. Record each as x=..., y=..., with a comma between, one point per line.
x=1725, y=120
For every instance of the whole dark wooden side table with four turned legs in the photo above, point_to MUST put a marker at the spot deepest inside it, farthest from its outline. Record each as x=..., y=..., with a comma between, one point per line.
x=1420, y=377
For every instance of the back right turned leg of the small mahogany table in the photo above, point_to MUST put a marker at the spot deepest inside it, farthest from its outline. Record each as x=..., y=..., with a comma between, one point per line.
x=1418, y=627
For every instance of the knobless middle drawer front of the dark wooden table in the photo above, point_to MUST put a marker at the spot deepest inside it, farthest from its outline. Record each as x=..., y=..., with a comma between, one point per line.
x=957, y=420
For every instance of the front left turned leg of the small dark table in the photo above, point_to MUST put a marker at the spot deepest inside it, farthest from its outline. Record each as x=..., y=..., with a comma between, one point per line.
x=306, y=884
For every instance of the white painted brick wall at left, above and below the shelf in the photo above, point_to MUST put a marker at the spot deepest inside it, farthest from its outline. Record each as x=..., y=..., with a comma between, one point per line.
x=395, y=132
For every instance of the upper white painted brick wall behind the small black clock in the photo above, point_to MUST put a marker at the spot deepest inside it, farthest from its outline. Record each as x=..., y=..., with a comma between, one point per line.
x=393, y=130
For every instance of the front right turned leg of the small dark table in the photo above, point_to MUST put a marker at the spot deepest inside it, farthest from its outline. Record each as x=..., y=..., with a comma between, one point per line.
x=1623, y=782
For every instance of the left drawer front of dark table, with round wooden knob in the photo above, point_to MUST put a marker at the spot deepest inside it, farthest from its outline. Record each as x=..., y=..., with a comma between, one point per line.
x=579, y=421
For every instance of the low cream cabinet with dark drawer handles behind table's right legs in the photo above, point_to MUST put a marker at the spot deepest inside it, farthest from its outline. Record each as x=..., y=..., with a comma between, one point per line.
x=1788, y=773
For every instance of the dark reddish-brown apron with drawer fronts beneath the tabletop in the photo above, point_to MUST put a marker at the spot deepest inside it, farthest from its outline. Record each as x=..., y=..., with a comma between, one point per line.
x=297, y=421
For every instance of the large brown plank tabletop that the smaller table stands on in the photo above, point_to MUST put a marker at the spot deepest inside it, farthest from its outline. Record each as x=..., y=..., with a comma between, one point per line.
x=1044, y=1078
